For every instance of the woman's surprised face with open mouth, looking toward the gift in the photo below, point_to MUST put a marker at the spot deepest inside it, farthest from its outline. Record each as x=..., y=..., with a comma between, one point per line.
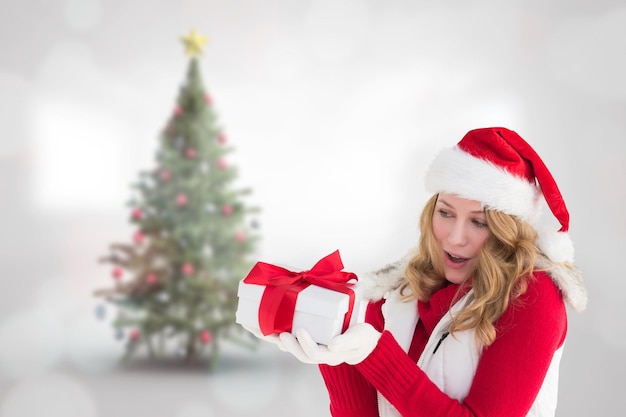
x=460, y=228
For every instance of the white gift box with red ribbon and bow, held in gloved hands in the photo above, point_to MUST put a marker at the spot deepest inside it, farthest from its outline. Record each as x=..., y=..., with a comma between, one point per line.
x=324, y=300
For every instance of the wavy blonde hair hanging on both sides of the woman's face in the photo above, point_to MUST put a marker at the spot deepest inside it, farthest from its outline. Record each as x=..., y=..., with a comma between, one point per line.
x=505, y=264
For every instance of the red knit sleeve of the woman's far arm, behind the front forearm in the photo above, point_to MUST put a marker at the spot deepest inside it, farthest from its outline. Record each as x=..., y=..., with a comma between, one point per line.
x=351, y=395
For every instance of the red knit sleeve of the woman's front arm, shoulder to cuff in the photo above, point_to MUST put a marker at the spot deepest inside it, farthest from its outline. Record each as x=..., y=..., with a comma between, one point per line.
x=509, y=374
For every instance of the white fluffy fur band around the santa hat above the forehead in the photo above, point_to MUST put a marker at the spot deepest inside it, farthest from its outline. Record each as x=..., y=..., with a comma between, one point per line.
x=457, y=172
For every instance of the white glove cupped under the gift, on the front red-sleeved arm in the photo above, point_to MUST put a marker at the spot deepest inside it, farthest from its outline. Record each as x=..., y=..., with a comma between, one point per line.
x=352, y=347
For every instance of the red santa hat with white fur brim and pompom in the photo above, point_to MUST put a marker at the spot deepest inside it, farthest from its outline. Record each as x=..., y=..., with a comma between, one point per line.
x=498, y=168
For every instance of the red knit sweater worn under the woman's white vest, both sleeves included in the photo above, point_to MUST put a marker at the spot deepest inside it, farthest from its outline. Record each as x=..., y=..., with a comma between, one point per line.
x=508, y=377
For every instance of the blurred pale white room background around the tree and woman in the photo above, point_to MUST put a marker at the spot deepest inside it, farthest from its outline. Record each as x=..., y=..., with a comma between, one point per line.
x=335, y=108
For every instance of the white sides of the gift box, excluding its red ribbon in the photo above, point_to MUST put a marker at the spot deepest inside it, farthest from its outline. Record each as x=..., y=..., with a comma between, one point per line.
x=320, y=311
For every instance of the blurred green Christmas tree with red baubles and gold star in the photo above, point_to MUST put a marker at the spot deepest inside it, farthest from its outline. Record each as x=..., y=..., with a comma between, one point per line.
x=175, y=284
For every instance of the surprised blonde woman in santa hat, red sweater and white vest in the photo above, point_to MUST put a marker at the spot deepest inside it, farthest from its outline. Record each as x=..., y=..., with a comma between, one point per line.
x=473, y=322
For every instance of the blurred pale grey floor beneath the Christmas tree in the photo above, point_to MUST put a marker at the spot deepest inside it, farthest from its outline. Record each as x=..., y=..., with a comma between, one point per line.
x=266, y=382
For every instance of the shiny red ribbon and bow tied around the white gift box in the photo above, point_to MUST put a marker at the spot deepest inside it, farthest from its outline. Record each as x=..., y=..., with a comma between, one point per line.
x=278, y=303
